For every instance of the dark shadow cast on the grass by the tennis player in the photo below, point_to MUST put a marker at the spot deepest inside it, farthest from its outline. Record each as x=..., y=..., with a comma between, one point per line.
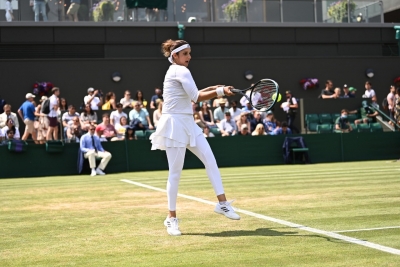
x=261, y=232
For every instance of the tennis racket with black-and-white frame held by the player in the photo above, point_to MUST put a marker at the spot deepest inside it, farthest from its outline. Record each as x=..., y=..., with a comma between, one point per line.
x=264, y=93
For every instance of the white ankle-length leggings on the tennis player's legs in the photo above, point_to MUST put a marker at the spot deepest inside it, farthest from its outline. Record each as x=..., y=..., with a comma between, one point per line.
x=176, y=157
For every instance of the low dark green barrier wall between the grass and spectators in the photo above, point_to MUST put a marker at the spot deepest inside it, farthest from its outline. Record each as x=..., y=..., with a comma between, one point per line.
x=229, y=152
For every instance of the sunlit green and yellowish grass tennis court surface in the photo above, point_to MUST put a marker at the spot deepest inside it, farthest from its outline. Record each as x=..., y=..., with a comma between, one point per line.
x=102, y=221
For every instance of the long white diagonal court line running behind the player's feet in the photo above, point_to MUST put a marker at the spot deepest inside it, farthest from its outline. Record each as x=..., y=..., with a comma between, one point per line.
x=279, y=221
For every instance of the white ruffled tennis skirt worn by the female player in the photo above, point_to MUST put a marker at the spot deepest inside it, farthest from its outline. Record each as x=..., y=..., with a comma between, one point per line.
x=175, y=130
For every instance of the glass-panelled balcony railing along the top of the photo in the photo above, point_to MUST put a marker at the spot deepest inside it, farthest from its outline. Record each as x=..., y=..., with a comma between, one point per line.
x=222, y=11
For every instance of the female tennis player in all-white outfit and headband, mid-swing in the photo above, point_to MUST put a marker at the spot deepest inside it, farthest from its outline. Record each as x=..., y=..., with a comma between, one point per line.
x=177, y=131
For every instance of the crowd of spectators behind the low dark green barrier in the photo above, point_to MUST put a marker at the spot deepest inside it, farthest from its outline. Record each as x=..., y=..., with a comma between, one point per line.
x=51, y=118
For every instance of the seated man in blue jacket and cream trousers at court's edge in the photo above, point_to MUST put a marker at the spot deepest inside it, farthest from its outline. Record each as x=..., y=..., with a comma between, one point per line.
x=91, y=148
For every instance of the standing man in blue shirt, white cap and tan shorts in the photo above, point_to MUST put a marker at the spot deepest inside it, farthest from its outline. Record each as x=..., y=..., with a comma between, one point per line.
x=27, y=114
